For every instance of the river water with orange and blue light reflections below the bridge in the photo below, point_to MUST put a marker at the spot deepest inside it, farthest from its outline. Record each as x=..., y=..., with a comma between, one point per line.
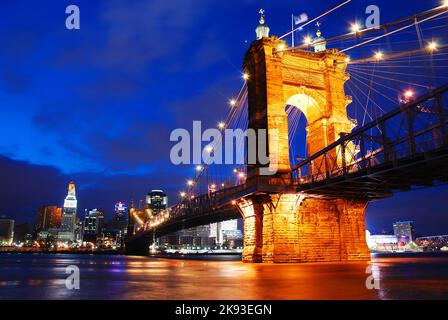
x=119, y=277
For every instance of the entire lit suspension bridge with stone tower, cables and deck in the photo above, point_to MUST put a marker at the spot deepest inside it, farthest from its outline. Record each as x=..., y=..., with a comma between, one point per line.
x=387, y=135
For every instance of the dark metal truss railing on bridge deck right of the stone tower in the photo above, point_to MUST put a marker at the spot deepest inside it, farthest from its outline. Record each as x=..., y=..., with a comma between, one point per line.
x=412, y=129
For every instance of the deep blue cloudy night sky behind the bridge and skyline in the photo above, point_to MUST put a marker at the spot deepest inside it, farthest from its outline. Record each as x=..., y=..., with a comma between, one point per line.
x=97, y=105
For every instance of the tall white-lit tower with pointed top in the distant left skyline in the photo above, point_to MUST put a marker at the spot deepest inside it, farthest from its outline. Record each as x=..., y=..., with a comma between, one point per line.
x=68, y=221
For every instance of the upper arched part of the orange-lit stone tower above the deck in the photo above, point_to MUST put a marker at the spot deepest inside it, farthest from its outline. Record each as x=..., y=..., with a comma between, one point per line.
x=312, y=81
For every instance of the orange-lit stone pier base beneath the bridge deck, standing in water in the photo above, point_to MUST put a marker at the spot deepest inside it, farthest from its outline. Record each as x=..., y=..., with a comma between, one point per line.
x=289, y=228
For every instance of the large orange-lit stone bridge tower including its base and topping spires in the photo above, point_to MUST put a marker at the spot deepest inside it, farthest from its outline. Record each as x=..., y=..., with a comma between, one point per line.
x=295, y=227
